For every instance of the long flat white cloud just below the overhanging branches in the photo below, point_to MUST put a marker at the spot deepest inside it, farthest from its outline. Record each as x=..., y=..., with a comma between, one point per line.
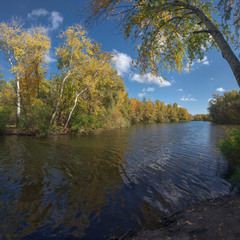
x=149, y=78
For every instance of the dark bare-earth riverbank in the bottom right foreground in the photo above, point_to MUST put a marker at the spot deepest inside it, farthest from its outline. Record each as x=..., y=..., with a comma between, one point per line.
x=217, y=218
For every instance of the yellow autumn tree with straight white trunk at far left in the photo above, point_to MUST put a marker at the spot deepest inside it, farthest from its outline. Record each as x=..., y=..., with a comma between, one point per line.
x=25, y=50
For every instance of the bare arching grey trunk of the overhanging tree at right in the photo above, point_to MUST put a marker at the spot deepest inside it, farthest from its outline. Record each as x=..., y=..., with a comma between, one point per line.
x=226, y=50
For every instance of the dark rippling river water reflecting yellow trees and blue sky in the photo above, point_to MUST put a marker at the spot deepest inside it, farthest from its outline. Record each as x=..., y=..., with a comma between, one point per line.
x=100, y=186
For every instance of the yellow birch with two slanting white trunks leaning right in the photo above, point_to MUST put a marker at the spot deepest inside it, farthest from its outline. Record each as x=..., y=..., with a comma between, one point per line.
x=81, y=63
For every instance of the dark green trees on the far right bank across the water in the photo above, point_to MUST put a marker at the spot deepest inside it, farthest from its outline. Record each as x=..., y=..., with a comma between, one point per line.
x=226, y=108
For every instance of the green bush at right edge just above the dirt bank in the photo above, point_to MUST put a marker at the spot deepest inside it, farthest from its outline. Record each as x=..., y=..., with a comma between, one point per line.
x=230, y=148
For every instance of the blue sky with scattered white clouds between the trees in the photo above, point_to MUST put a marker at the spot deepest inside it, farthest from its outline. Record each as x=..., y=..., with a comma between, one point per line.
x=191, y=90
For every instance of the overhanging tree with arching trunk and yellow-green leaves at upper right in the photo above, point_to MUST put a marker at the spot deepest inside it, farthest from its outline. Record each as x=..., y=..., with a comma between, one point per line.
x=171, y=32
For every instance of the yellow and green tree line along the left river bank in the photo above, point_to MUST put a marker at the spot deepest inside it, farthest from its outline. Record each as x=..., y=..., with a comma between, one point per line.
x=84, y=93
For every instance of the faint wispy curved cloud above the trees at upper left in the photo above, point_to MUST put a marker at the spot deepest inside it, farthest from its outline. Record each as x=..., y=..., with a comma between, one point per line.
x=55, y=18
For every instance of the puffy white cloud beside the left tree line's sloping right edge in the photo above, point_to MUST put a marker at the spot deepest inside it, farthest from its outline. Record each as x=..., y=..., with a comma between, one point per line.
x=122, y=62
